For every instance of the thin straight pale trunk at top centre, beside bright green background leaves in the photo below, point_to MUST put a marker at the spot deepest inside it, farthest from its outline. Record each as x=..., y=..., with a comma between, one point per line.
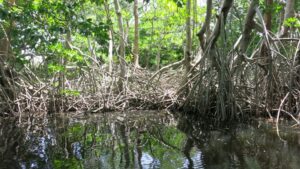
x=136, y=34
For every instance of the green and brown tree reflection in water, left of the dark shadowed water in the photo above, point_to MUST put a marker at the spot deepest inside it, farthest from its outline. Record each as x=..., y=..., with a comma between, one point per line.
x=104, y=142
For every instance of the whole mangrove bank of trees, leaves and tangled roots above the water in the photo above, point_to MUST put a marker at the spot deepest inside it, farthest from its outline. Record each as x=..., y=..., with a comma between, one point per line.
x=219, y=59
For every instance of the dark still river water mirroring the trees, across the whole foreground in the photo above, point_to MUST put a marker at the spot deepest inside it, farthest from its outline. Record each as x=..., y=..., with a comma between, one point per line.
x=148, y=140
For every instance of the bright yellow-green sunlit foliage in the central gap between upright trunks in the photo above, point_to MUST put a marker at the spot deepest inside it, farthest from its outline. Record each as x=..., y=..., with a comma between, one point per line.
x=162, y=32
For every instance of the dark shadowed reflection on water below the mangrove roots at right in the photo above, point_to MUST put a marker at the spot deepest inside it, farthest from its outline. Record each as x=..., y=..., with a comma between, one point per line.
x=241, y=146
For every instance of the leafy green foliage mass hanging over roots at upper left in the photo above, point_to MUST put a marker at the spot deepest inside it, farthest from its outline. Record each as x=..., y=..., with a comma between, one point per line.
x=41, y=27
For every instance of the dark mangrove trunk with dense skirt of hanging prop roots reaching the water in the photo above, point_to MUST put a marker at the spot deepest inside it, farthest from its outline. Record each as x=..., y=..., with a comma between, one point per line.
x=219, y=94
